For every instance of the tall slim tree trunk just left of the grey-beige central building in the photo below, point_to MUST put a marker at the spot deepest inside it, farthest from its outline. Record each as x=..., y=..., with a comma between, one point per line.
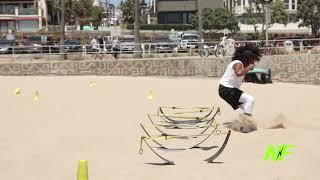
x=137, y=47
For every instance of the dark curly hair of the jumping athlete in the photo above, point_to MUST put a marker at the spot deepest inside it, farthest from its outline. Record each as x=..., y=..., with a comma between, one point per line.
x=247, y=53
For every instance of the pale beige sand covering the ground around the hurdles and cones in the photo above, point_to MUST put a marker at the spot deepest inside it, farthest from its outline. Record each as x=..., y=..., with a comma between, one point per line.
x=44, y=139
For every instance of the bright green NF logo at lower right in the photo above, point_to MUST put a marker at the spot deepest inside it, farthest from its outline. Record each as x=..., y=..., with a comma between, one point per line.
x=278, y=152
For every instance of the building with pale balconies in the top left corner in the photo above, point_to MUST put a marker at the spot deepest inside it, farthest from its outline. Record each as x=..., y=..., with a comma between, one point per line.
x=22, y=15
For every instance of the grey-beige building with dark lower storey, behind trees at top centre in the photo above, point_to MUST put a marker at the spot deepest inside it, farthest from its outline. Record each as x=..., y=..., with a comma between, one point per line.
x=181, y=11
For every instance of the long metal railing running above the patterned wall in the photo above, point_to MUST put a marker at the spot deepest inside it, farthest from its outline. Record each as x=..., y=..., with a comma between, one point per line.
x=148, y=49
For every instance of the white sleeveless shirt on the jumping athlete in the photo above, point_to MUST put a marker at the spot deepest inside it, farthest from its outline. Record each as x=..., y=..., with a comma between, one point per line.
x=230, y=78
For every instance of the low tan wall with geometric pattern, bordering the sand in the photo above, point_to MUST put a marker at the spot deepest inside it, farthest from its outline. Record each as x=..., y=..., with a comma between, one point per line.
x=287, y=68
